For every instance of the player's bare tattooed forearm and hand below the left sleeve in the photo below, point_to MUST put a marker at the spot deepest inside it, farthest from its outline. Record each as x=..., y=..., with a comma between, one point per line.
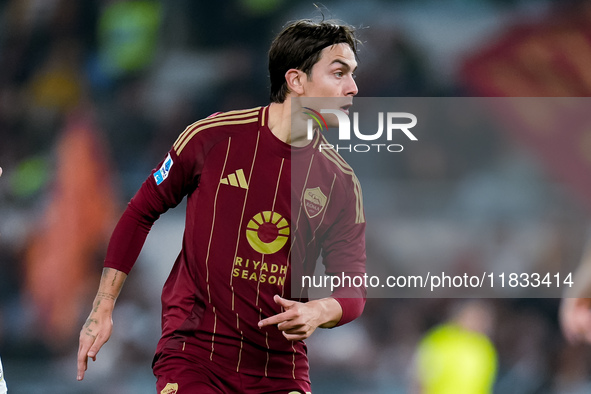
x=99, y=325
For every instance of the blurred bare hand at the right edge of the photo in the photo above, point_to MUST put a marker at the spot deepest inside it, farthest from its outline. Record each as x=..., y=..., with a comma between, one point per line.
x=575, y=319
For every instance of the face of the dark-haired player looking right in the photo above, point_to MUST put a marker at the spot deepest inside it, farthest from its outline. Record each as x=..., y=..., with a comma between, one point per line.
x=332, y=76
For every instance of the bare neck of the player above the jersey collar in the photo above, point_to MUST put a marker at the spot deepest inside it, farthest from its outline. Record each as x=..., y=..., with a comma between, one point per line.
x=280, y=123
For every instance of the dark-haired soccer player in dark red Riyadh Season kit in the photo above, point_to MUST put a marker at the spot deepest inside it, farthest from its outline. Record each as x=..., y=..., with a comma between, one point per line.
x=263, y=203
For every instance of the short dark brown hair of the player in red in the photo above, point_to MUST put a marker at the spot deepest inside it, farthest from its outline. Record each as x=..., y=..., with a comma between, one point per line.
x=299, y=45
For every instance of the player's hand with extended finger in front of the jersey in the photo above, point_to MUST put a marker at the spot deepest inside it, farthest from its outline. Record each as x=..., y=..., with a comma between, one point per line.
x=299, y=320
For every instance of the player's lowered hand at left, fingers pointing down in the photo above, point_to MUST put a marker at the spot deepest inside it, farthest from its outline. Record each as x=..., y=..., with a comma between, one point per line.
x=94, y=334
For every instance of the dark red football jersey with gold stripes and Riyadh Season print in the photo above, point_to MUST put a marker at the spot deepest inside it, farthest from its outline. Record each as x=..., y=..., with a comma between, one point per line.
x=258, y=212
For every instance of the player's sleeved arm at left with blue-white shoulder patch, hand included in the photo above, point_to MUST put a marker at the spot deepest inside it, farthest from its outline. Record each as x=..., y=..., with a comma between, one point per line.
x=174, y=178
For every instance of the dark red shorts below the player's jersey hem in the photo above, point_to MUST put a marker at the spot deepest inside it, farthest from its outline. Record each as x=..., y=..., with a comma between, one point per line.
x=179, y=372
